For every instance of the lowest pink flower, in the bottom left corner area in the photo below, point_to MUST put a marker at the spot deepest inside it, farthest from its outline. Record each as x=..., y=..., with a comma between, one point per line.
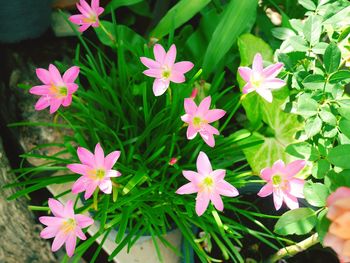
x=65, y=226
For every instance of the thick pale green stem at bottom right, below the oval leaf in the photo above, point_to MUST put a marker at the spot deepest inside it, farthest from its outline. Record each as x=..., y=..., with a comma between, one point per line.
x=295, y=249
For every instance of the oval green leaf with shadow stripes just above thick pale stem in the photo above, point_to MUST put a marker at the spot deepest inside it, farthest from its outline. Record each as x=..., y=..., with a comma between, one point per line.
x=297, y=221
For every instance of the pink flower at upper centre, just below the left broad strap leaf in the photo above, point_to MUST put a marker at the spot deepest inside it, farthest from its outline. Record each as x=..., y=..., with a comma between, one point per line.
x=164, y=69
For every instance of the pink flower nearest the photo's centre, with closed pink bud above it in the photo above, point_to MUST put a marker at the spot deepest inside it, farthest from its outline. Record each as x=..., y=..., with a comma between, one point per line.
x=198, y=119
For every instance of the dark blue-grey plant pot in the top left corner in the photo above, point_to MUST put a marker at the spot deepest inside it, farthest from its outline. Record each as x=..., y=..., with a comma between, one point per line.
x=23, y=19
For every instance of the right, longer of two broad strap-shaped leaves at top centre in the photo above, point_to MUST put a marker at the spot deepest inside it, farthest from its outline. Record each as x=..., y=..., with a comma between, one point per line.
x=237, y=17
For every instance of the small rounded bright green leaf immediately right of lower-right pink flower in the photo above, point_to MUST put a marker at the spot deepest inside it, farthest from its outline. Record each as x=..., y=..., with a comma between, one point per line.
x=316, y=194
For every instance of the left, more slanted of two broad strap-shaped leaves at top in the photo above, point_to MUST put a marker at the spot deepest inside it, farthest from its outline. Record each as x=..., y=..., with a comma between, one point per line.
x=179, y=14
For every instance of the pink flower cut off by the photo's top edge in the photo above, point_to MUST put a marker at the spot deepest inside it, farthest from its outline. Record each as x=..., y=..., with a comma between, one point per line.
x=89, y=15
